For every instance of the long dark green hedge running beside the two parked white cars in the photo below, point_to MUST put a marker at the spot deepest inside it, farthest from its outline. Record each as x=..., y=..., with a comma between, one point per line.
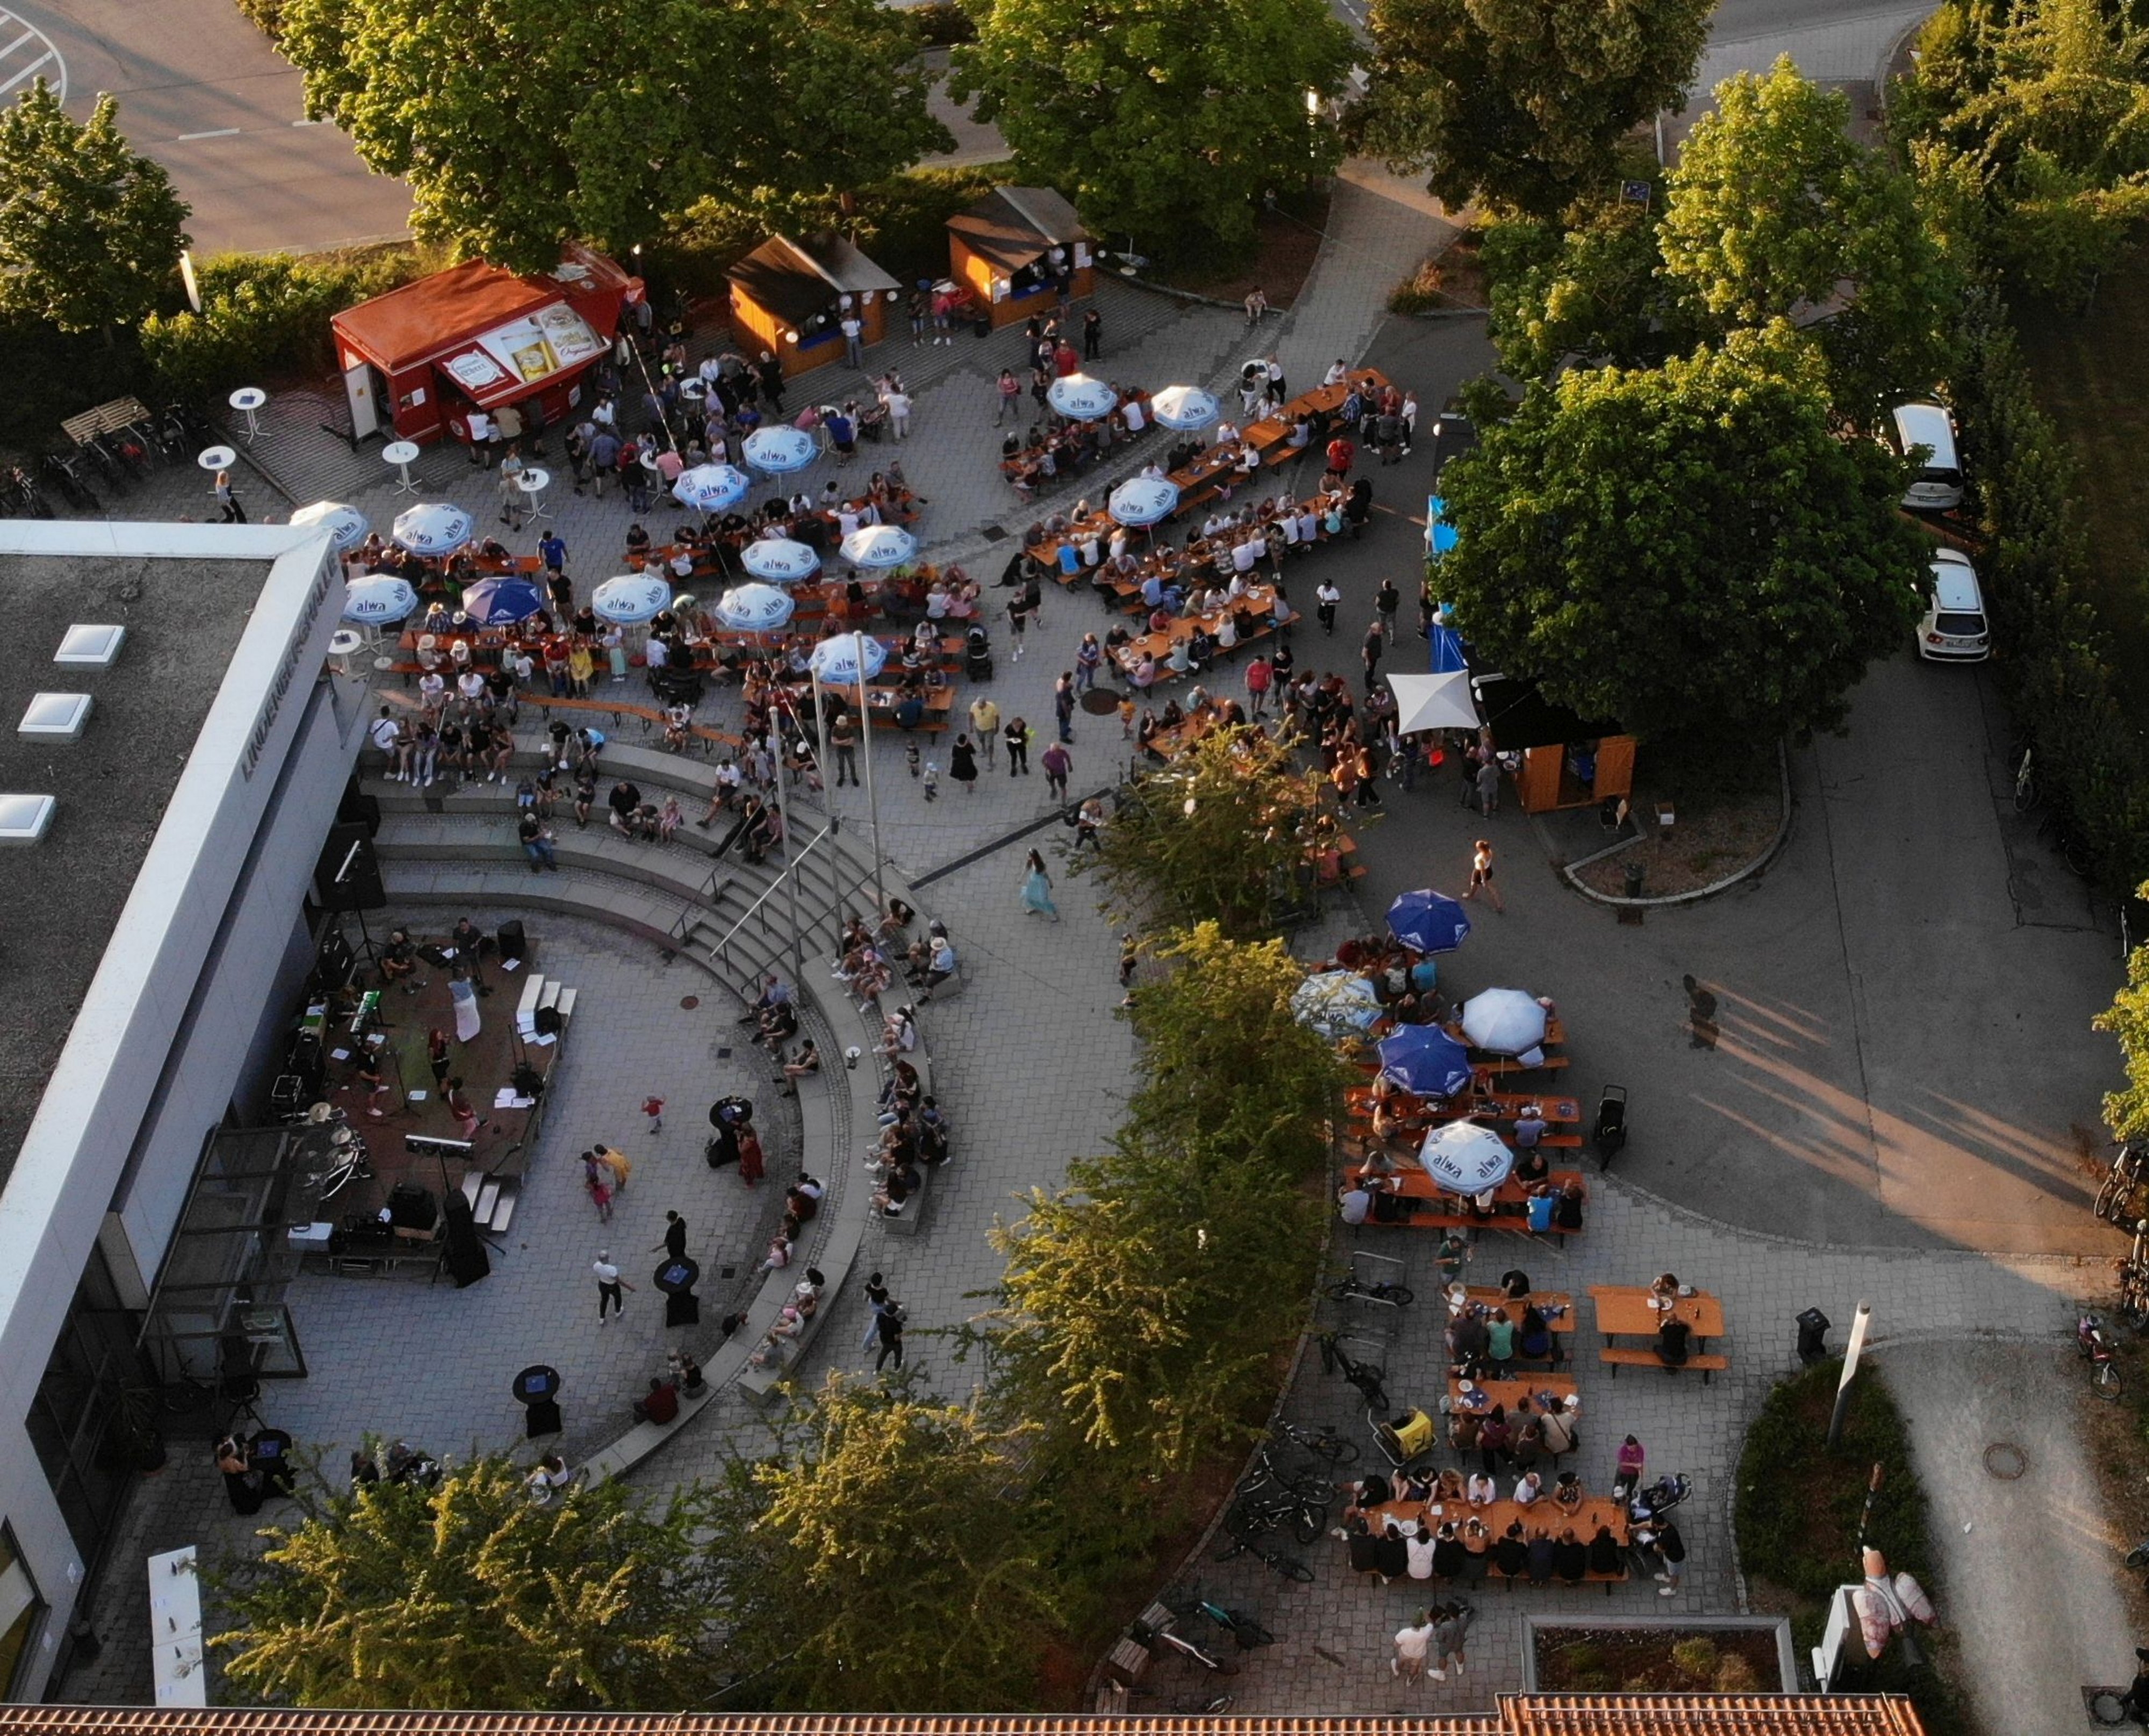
x=2056, y=663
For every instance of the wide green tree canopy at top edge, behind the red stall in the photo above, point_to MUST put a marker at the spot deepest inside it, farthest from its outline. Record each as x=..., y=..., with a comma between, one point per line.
x=521, y=124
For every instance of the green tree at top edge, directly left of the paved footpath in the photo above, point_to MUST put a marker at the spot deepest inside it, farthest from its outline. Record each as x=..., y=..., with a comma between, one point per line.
x=1162, y=119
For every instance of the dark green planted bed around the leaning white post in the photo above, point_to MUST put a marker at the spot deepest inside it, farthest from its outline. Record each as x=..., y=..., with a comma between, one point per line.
x=1800, y=1511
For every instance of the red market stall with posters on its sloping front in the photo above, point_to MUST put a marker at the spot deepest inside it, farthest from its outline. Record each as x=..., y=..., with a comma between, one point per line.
x=422, y=358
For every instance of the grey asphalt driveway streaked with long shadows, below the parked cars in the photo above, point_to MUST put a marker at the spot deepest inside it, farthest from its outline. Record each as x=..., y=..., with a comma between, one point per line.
x=1899, y=1047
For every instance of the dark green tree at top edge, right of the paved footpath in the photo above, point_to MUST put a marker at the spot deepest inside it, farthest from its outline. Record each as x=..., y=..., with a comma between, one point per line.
x=1525, y=102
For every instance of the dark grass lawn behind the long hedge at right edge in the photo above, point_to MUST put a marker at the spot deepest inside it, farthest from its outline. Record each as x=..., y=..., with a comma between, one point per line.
x=2092, y=377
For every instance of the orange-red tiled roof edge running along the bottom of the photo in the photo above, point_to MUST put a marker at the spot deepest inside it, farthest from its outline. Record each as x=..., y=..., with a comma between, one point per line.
x=1520, y=1716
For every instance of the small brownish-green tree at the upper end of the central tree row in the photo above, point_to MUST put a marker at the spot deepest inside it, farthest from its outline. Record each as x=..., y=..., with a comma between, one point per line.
x=1220, y=835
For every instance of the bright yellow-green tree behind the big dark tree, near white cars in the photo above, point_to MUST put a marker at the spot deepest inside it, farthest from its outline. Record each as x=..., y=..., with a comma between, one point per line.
x=1776, y=212
